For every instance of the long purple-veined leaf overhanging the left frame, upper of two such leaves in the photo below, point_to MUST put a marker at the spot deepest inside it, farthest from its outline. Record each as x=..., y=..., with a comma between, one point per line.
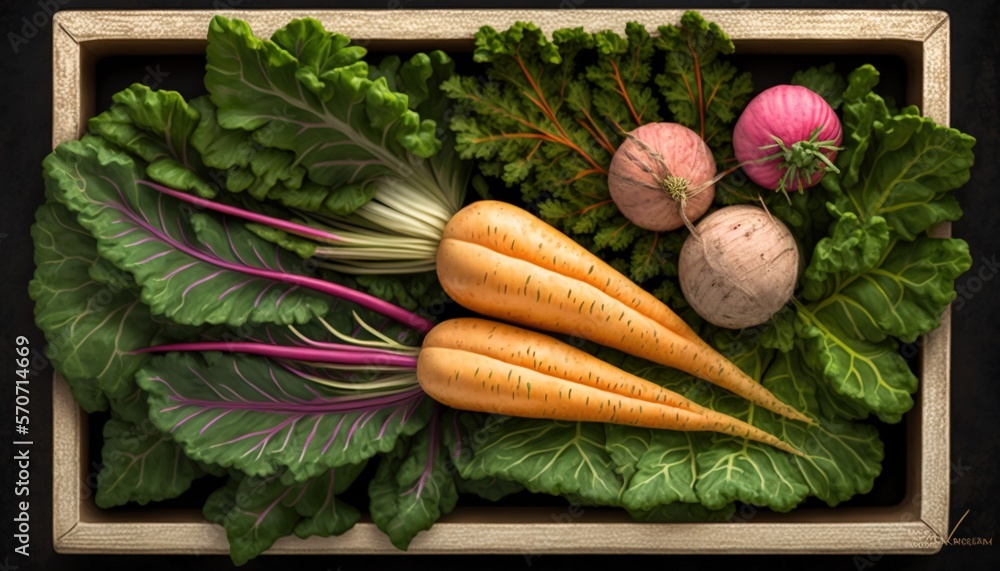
x=192, y=267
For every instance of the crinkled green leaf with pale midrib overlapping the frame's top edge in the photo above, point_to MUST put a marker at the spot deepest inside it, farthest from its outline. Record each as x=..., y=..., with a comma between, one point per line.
x=307, y=90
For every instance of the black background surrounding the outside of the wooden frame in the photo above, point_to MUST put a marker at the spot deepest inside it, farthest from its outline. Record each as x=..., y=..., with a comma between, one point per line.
x=25, y=101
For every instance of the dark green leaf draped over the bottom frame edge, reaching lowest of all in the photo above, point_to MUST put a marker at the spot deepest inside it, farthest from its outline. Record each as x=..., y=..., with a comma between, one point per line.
x=257, y=511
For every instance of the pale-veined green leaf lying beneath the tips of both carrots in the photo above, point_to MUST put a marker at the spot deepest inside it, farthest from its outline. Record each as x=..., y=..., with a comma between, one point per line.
x=710, y=471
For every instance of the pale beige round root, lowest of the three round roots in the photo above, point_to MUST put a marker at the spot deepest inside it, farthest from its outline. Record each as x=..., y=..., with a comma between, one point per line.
x=739, y=268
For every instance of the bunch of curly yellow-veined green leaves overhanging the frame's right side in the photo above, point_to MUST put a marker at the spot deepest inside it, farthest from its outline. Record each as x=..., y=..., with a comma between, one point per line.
x=876, y=278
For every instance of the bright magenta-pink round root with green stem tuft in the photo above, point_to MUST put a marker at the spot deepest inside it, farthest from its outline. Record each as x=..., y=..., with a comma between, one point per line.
x=786, y=138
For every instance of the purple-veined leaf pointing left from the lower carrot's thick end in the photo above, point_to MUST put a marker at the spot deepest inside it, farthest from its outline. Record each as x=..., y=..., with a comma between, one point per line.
x=255, y=415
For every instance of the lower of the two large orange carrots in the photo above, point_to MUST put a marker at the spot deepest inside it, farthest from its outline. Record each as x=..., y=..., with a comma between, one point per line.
x=474, y=364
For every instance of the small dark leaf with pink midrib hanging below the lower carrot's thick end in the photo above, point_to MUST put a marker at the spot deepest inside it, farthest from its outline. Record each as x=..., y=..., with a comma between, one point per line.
x=413, y=486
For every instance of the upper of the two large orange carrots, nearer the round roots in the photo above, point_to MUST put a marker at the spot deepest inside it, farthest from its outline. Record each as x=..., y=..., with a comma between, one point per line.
x=498, y=260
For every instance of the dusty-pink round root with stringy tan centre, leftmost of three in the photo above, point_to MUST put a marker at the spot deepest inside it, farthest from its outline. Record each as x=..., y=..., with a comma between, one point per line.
x=661, y=174
